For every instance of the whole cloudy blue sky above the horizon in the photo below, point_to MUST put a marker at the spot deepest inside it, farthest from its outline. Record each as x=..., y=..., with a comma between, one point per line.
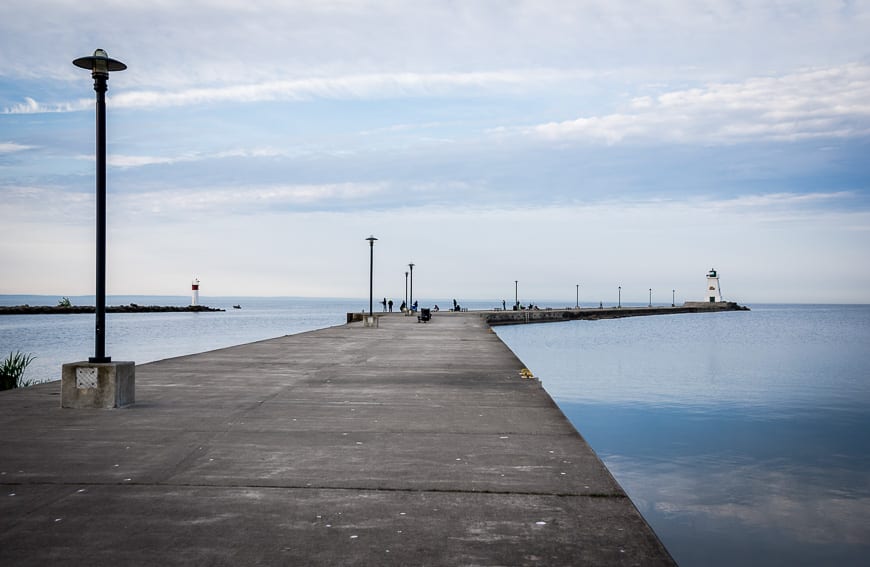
x=600, y=143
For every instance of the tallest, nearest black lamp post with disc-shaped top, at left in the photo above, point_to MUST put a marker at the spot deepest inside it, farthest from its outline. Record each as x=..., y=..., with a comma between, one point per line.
x=100, y=64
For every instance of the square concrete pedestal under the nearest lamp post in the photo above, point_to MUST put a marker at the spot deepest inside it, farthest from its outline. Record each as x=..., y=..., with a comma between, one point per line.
x=98, y=385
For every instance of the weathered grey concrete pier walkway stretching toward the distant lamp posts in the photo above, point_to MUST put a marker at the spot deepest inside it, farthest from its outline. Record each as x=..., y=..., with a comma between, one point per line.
x=404, y=444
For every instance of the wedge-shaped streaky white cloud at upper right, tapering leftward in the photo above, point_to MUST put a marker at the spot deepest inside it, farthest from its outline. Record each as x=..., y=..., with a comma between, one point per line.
x=826, y=103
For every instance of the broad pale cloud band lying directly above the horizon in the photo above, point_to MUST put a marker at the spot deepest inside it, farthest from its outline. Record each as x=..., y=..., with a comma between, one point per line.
x=462, y=251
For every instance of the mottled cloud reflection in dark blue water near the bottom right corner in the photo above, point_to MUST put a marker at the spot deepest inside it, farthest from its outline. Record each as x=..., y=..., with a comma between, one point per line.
x=796, y=501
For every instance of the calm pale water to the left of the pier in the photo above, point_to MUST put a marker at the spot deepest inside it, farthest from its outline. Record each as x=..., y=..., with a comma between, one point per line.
x=145, y=337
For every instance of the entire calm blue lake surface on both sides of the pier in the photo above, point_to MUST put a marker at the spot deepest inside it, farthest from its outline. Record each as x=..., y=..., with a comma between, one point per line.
x=742, y=437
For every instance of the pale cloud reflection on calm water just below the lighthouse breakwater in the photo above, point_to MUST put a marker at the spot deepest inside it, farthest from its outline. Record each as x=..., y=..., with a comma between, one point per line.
x=767, y=358
